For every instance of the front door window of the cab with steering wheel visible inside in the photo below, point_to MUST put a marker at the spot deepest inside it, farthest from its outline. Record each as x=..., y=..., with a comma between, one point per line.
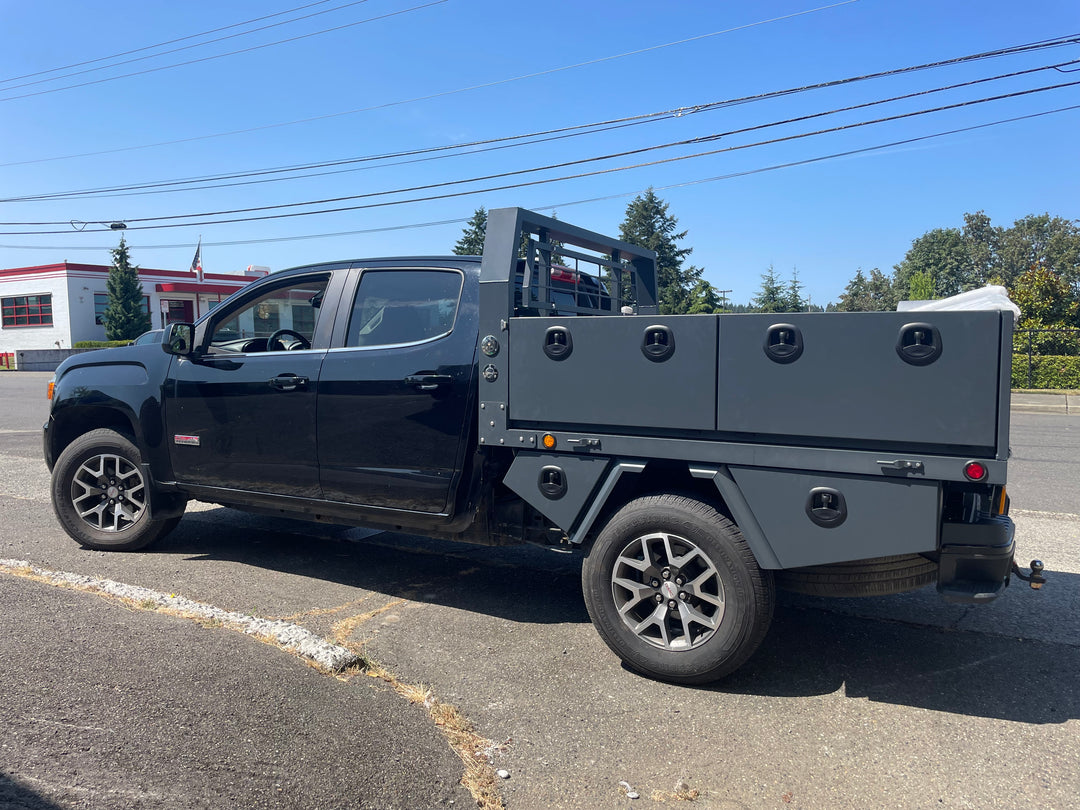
x=289, y=314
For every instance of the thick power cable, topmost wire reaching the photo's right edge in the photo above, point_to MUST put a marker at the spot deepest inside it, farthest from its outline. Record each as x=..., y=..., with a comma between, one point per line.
x=560, y=132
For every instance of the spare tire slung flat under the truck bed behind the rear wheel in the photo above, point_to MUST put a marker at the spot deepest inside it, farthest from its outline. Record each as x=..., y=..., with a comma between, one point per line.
x=882, y=577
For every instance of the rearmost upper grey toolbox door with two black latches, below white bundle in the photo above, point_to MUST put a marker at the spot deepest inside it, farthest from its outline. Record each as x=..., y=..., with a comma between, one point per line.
x=848, y=383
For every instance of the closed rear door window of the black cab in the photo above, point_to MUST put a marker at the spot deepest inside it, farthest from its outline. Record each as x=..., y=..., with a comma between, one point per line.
x=395, y=307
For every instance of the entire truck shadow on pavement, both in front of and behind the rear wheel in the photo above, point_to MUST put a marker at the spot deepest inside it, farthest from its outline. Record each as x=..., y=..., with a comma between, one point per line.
x=811, y=651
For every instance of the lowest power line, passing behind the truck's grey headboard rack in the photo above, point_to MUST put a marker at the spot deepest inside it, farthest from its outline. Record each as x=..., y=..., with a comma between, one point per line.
x=566, y=205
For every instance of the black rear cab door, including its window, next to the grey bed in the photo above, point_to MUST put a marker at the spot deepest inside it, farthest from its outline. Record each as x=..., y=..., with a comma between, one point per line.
x=394, y=400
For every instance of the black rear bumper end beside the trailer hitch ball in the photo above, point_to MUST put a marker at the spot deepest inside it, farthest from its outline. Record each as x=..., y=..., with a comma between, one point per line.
x=976, y=560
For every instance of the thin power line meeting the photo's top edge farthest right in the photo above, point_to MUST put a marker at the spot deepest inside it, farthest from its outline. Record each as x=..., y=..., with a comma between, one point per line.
x=426, y=98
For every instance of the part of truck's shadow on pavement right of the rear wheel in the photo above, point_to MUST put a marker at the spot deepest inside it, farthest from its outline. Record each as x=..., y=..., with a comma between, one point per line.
x=811, y=652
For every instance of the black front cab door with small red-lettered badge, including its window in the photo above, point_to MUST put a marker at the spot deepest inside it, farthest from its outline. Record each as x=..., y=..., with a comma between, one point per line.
x=244, y=415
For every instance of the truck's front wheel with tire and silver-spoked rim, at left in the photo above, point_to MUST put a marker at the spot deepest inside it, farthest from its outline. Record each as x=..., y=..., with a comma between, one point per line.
x=101, y=496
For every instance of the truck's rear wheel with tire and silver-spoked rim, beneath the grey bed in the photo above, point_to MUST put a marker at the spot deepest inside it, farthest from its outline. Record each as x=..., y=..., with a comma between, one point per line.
x=715, y=605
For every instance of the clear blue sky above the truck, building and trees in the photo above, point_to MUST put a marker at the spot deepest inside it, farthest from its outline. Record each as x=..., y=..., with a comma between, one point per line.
x=825, y=219
